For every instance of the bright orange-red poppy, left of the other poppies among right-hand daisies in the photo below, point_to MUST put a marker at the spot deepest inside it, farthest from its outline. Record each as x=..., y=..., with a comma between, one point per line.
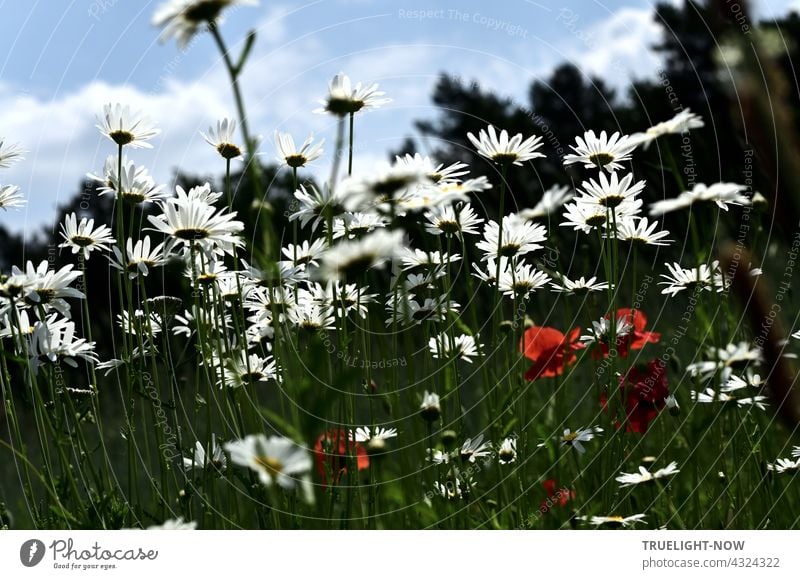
x=550, y=350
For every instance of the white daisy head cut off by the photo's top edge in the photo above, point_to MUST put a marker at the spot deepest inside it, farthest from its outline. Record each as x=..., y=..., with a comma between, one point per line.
x=182, y=19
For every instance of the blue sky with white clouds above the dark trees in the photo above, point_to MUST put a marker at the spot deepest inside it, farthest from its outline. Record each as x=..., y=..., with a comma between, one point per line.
x=63, y=59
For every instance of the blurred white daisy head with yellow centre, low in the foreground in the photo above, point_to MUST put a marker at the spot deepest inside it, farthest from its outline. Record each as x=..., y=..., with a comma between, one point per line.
x=275, y=459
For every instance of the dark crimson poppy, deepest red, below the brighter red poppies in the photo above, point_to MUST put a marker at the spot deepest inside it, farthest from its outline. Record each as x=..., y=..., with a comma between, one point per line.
x=645, y=393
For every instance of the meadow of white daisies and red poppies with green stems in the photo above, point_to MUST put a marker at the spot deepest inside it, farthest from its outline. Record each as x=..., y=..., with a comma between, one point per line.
x=402, y=354
